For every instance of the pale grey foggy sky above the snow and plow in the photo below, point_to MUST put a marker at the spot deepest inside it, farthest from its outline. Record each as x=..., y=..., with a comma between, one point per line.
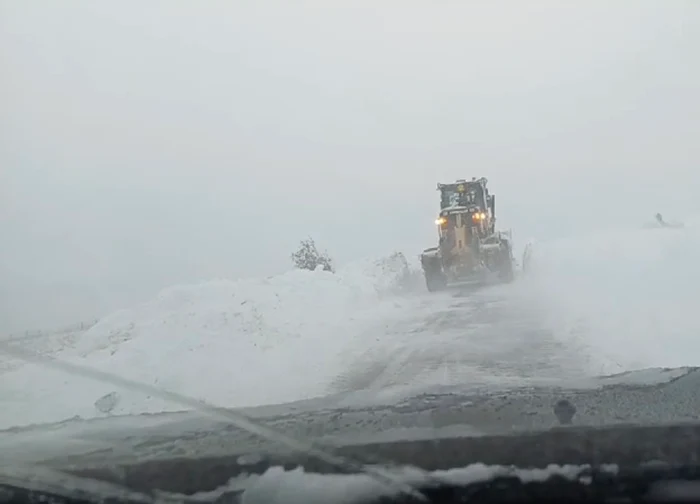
x=145, y=144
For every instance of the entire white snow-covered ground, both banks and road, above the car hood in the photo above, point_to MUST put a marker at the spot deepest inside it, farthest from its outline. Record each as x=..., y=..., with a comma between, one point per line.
x=598, y=304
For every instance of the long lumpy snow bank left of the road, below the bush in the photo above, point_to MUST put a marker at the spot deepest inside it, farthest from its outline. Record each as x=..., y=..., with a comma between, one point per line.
x=233, y=343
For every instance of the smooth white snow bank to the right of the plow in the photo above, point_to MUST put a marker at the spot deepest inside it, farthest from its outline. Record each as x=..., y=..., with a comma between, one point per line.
x=630, y=295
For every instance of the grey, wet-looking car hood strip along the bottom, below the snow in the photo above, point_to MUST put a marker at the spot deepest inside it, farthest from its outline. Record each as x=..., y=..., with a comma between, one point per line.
x=647, y=397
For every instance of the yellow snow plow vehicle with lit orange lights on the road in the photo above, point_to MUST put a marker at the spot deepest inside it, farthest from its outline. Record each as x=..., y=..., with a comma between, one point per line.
x=469, y=247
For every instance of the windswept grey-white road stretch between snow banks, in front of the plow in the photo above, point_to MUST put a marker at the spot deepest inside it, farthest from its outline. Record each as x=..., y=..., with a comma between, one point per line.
x=470, y=340
